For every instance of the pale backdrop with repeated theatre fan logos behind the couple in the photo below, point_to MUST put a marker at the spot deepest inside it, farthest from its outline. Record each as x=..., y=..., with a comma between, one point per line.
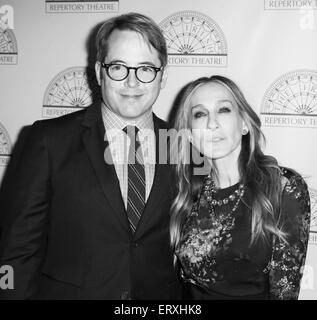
x=268, y=47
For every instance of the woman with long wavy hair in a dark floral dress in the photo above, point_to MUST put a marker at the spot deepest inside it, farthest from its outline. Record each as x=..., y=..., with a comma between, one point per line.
x=240, y=232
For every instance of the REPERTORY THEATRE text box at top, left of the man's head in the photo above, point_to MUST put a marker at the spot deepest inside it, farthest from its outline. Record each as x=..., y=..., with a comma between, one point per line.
x=81, y=6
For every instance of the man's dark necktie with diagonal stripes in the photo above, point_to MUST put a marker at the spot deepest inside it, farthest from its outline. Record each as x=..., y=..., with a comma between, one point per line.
x=136, y=178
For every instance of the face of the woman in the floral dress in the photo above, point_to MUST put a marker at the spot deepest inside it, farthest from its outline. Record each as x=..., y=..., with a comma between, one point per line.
x=215, y=122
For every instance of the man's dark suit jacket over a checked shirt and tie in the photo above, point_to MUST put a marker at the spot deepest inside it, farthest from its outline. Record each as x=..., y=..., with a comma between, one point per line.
x=64, y=228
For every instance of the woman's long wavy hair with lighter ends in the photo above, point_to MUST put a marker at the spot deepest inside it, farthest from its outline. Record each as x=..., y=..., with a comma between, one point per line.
x=259, y=172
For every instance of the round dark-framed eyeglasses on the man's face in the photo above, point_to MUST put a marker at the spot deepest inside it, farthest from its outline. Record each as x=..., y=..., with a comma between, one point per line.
x=119, y=72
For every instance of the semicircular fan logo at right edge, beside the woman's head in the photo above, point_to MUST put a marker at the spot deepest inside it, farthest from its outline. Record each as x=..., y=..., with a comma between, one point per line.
x=291, y=101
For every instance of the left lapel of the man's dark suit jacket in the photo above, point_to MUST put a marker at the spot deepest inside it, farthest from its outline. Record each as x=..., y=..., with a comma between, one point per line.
x=96, y=147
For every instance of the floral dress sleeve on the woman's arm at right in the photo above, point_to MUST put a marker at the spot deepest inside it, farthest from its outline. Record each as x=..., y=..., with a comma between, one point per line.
x=288, y=259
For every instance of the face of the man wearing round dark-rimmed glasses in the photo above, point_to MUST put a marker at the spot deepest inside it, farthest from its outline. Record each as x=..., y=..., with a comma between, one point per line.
x=129, y=98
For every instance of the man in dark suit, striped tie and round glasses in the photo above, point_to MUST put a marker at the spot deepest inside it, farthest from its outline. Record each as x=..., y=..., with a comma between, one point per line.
x=78, y=226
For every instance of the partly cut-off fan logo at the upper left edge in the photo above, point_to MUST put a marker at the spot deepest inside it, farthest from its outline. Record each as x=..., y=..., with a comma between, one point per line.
x=8, y=47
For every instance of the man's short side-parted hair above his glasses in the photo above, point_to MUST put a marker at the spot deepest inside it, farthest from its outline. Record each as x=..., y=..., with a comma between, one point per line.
x=135, y=22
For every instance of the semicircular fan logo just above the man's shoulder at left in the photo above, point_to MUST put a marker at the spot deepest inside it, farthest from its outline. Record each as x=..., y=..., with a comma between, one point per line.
x=71, y=90
